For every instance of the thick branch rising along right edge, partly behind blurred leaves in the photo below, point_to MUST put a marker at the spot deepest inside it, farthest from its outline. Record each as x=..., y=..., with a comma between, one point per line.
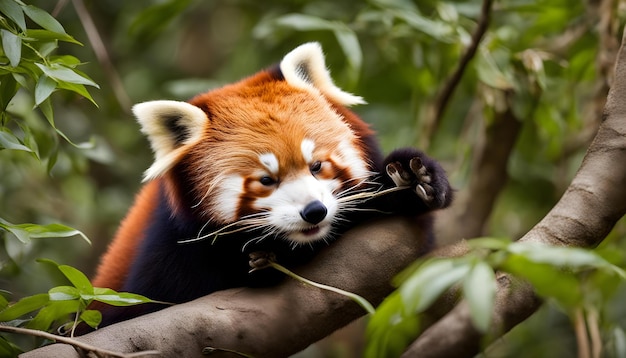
x=586, y=213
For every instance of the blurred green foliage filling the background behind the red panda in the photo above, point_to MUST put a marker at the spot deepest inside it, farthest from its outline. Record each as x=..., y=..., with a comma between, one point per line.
x=397, y=54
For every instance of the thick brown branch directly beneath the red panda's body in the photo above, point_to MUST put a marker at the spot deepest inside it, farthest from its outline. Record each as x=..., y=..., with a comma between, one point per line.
x=277, y=321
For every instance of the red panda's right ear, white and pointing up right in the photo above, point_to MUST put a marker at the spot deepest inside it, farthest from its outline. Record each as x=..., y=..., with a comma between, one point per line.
x=305, y=68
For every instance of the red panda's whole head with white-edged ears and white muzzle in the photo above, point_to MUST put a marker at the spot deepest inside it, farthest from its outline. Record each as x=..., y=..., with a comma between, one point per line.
x=266, y=153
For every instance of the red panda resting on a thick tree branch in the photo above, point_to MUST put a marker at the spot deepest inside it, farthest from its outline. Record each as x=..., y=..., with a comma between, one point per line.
x=274, y=163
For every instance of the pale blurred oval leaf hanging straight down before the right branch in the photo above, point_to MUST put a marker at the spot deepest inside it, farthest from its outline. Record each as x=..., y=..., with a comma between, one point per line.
x=479, y=289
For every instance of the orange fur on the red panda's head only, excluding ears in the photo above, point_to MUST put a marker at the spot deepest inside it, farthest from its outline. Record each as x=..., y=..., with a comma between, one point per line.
x=261, y=115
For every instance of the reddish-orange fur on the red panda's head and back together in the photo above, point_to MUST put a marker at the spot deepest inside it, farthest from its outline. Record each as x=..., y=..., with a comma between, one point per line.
x=281, y=116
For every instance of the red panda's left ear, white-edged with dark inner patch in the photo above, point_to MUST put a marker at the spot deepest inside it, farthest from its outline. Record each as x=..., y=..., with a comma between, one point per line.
x=171, y=127
